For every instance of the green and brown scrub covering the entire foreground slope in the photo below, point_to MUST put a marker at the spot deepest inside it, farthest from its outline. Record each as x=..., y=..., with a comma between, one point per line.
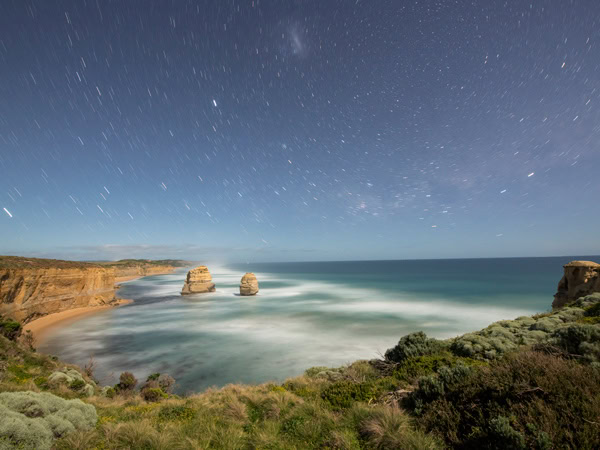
x=532, y=382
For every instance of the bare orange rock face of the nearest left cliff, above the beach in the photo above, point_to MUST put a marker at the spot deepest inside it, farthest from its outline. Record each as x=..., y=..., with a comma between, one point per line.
x=29, y=293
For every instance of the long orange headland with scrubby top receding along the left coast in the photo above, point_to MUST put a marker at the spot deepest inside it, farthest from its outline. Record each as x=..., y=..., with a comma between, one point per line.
x=31, y=287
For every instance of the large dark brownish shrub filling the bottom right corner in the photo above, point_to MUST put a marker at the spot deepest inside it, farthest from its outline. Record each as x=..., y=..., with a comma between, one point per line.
x=527, y=397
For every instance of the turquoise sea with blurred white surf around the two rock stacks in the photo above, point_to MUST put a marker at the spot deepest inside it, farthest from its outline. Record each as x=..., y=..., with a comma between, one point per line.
x=306, y=314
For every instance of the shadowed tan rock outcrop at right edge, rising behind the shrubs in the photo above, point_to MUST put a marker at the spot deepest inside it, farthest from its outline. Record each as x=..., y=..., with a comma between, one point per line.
x=581, y=278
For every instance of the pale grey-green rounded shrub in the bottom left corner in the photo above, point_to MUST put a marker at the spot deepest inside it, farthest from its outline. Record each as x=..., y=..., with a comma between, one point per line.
x=32, y=420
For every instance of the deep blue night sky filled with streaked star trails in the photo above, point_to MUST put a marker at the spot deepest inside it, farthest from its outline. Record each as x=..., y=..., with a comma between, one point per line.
x=299, y=130
